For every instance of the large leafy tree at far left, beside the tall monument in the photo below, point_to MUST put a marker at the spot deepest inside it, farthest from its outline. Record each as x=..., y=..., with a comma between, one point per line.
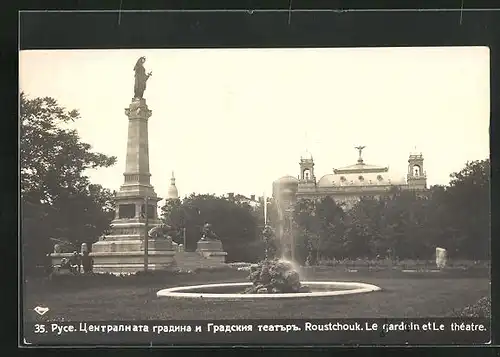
x=57, y=198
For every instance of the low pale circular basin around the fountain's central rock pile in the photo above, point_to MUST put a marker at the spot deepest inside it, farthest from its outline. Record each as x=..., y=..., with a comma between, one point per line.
x=320, y=289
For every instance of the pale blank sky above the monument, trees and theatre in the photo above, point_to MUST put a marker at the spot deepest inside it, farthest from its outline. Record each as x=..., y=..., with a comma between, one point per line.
x=234, y=120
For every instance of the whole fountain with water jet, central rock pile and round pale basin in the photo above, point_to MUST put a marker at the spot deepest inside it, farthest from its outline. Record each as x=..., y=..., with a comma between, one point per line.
x=275, y=277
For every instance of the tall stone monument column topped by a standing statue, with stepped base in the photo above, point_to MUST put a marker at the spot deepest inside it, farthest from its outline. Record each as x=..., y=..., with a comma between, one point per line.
x=123, y=250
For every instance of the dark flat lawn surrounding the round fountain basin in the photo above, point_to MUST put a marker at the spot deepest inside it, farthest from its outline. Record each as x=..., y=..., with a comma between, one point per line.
x=94, y=298
